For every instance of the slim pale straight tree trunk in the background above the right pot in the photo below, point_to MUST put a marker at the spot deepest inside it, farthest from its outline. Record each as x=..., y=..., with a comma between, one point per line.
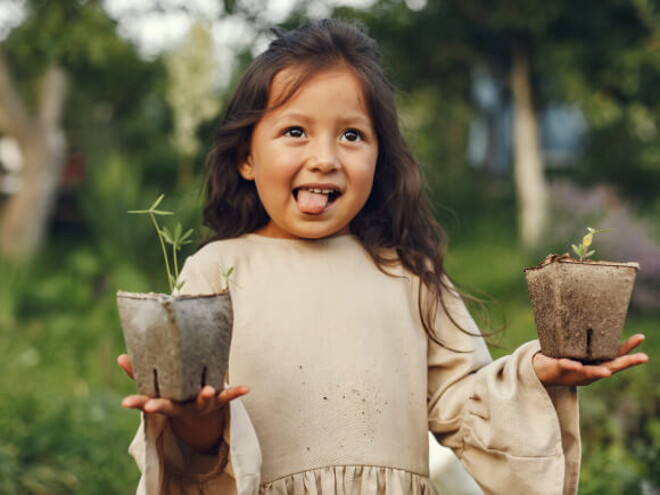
x=531, y=191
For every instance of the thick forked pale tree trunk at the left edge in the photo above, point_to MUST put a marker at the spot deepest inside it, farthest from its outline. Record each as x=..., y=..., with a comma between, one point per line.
x=25, y=215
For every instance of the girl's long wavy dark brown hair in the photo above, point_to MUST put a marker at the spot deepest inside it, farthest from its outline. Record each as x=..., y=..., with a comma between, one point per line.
x=396, y=214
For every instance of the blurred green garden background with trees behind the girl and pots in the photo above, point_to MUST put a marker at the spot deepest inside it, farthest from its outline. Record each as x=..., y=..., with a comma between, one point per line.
x=532, y=120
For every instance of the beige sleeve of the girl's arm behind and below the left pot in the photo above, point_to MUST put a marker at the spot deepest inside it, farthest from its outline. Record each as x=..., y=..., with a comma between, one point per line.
x=169, y=466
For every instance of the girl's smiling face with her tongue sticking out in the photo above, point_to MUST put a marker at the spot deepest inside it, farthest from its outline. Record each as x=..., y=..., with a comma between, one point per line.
x=313, y=159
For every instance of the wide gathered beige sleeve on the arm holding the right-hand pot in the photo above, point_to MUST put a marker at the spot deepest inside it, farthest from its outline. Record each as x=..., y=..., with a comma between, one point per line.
x=510, y=432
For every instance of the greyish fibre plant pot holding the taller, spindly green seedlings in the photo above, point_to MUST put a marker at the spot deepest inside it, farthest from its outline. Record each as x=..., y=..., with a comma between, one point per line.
x=177, y=344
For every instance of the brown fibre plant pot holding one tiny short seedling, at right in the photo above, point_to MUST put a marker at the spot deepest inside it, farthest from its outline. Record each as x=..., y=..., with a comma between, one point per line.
x=580, y=306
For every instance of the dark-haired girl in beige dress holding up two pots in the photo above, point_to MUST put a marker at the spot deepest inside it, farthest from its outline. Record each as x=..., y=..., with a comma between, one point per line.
x=347, y=331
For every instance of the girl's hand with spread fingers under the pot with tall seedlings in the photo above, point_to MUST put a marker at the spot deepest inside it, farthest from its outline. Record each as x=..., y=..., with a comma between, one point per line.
x=200, y=422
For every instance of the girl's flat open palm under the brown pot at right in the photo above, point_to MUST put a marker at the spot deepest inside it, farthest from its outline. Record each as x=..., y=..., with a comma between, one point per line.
x=566, y=372
